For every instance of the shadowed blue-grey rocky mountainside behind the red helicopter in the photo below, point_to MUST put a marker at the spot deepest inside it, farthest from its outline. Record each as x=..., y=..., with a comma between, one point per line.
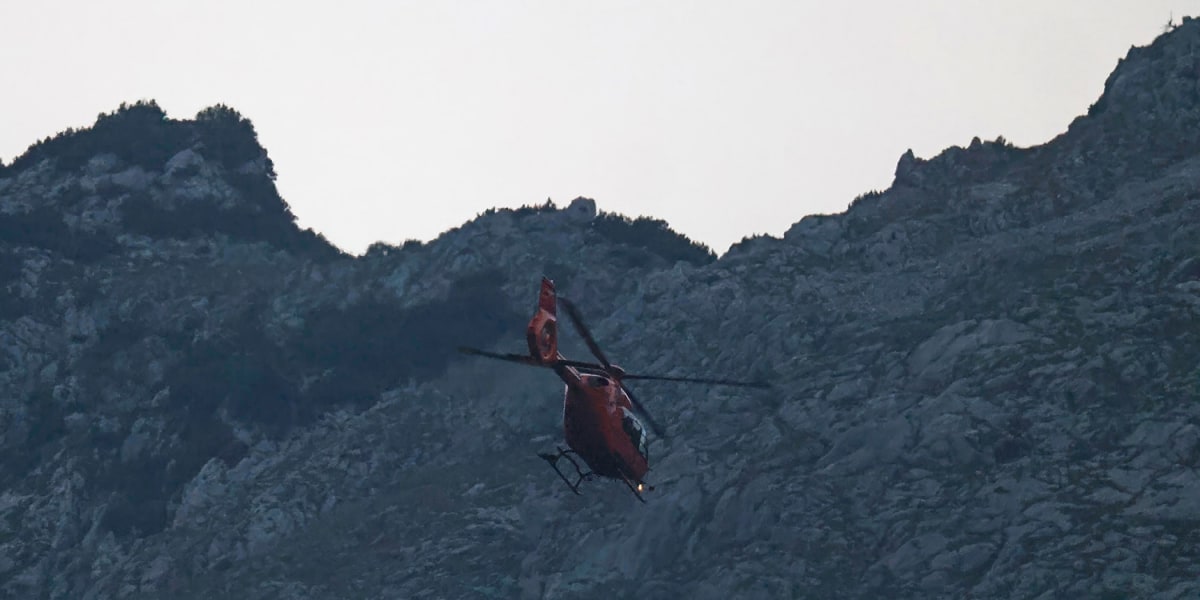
x=987, y=383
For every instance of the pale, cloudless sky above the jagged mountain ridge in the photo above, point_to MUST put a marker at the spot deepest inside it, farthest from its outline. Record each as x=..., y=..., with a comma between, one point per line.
x=392, y=121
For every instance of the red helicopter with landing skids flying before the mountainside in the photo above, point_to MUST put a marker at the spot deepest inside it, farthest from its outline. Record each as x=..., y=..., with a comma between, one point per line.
x=598, y=410
